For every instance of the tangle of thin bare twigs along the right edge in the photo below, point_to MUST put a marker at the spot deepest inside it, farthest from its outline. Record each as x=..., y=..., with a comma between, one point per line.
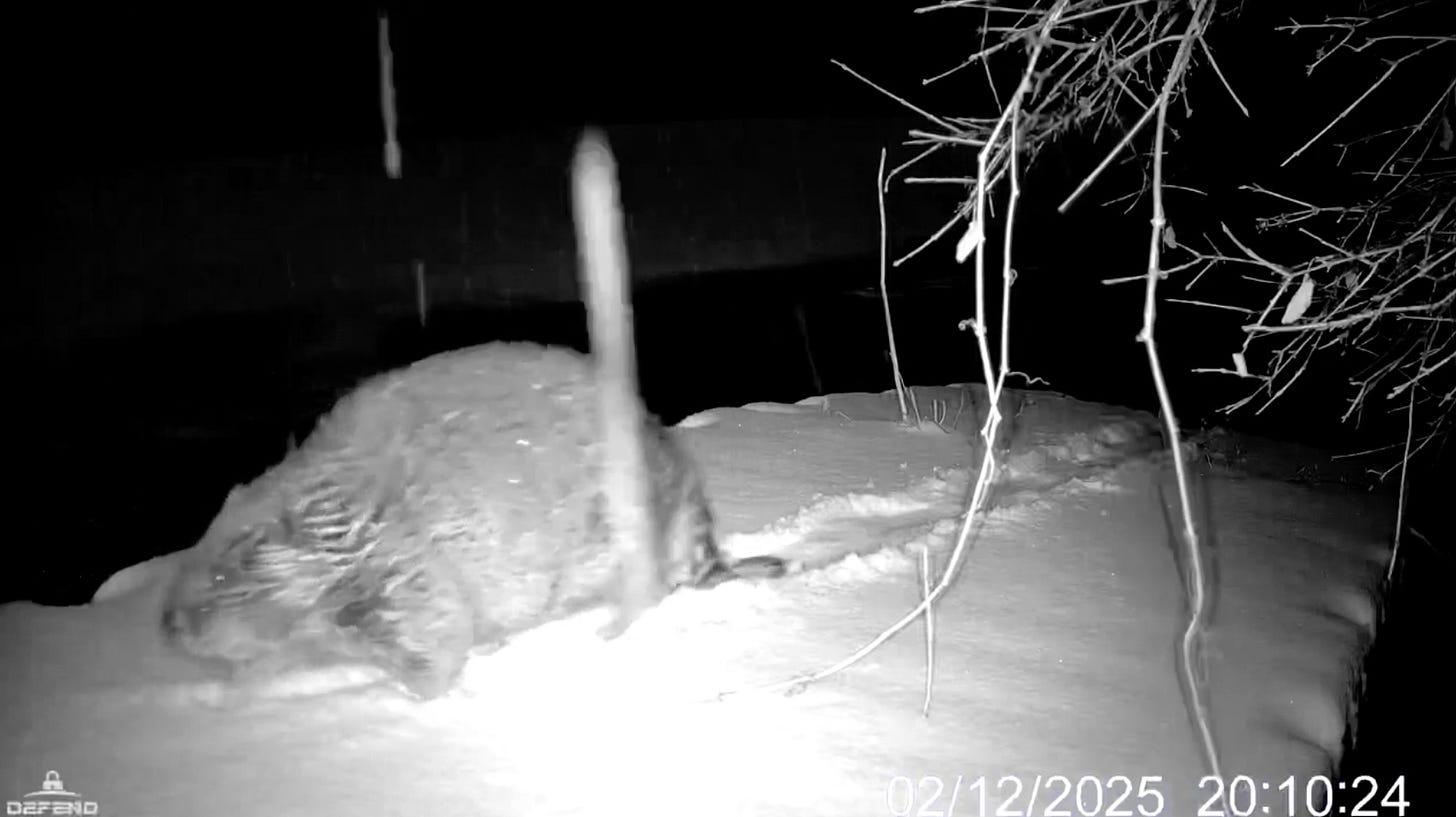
x=1382, y=282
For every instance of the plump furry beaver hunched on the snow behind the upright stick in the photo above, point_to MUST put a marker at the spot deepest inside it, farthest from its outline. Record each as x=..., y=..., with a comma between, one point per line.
x=436, y=509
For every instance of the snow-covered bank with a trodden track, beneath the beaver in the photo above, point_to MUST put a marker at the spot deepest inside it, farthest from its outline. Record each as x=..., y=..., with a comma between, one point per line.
x=1055, y=652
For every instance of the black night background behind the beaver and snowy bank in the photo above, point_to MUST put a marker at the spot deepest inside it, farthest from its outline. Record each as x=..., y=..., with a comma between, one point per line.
x=209, y=251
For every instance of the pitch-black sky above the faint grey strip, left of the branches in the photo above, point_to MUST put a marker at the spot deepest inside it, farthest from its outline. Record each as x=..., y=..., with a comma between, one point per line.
x=221, y=79
